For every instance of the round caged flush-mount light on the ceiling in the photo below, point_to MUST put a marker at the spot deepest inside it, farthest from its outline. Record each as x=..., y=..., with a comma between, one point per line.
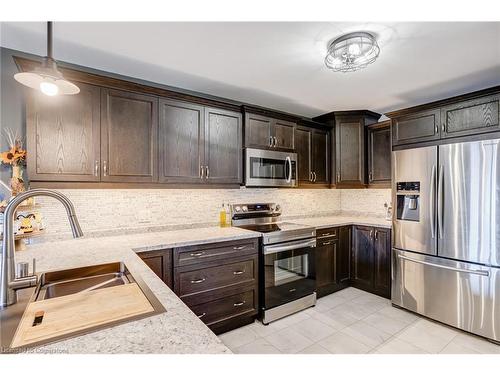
x=352, y=52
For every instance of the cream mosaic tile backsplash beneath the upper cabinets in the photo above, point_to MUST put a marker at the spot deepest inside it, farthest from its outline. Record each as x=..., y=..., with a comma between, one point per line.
x=126, y=209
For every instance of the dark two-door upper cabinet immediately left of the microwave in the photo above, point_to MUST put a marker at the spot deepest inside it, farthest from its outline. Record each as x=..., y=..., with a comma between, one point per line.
x=199, y=145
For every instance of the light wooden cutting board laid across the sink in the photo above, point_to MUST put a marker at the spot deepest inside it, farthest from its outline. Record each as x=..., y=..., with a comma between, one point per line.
x=76, y=312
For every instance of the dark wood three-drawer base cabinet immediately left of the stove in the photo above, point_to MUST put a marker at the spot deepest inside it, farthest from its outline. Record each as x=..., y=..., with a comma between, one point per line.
x=219, y=282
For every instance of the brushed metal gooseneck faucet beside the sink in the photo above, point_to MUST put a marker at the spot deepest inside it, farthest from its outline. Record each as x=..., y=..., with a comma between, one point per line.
x=9, y=283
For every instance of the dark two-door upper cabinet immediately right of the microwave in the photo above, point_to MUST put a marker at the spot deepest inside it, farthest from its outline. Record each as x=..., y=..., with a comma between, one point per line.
x=313, y=154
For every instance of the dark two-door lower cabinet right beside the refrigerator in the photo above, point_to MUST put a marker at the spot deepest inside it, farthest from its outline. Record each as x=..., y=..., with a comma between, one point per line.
x=371, y=260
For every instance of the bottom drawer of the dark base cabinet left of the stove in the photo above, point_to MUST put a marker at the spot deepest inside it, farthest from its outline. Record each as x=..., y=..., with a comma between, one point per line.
x=225, y=308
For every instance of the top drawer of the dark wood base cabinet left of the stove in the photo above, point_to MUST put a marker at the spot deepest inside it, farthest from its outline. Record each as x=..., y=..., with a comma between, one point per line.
x=205, y=253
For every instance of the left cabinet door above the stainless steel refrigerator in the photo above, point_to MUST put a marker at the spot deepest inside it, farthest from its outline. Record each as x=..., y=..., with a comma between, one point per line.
x=418, y=127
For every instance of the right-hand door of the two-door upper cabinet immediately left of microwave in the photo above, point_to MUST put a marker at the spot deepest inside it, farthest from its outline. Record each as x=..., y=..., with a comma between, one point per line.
x=223, y=152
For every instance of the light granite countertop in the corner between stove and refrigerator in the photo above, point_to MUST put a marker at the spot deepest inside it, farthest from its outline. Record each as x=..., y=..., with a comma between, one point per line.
x=340, y=220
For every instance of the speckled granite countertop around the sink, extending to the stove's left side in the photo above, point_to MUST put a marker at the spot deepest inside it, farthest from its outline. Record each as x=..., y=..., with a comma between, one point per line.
x=178, y=330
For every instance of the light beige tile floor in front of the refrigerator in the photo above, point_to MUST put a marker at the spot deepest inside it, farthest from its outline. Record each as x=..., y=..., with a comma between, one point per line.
x=353, y=321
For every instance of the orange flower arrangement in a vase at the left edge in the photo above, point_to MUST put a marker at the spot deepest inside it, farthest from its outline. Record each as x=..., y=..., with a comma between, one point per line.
x=15, y=158
